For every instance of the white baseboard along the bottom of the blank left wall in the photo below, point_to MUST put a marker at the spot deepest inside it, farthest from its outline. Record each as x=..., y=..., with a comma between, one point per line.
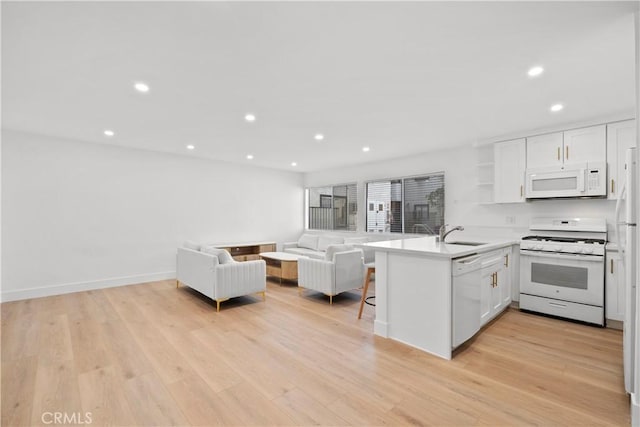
x=68, y=288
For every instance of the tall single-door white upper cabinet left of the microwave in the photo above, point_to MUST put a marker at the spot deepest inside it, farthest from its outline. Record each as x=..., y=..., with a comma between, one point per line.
x=509, y=171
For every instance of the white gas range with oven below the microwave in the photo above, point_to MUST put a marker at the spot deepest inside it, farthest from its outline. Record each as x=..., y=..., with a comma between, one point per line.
x=562, y=268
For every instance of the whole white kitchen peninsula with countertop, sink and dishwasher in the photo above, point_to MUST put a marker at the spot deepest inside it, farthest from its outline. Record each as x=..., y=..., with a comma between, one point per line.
x=434, y=296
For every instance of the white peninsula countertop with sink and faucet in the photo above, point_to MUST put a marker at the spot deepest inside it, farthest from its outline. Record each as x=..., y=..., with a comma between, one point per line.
x=428, y=246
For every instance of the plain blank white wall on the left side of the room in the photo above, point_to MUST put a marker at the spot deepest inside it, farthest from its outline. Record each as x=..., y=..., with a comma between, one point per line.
x=78, y=216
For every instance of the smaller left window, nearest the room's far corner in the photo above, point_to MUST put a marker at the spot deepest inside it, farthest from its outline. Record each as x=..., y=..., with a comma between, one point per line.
x=333, y=208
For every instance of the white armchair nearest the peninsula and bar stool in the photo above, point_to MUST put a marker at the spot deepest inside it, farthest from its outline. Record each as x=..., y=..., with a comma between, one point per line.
x=341, y=271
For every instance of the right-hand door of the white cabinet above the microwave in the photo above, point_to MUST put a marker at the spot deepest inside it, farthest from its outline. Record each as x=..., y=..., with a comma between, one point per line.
x=585, y=145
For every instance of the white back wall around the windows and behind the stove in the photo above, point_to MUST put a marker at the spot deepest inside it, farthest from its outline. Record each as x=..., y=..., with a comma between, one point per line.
x=462, y=194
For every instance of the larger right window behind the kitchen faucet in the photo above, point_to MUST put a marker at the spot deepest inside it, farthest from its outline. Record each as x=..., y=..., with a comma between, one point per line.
x=409, y=205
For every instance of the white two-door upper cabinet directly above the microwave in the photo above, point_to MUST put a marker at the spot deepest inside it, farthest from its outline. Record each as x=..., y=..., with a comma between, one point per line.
x=562, y=148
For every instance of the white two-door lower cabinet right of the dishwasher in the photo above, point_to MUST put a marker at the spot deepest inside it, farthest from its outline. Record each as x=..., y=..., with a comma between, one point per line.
x=495, y=285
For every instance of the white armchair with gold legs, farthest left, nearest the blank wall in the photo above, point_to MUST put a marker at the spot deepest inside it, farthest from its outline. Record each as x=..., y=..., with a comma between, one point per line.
x=206, y=274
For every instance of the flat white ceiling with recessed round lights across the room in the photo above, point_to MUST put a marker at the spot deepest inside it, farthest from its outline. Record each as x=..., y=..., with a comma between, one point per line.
x=401, y=78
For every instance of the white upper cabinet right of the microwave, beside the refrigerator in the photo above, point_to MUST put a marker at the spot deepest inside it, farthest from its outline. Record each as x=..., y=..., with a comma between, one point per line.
x=620, y=137
